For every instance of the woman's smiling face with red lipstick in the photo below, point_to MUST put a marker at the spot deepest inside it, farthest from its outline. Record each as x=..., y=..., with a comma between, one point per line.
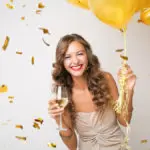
x=75, y=61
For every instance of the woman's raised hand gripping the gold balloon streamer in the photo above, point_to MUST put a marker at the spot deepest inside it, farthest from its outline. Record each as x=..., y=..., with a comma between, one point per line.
x=129, y=75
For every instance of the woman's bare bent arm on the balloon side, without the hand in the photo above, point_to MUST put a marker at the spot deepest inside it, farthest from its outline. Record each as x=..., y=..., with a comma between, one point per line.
x=115, y=95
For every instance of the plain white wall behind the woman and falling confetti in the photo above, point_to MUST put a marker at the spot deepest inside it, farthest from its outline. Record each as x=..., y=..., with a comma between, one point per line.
x=30, y=84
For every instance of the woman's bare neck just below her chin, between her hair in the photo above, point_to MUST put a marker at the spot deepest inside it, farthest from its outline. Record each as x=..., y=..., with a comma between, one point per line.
x=79, y=83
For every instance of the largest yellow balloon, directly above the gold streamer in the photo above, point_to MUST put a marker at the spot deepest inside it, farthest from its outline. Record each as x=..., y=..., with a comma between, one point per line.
x=116, y=13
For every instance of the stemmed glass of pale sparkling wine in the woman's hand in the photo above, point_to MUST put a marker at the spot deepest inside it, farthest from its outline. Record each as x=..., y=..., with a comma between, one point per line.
x=62, y=100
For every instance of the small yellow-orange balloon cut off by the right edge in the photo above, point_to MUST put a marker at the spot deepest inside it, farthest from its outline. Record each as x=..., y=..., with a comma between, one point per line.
x=145, y=16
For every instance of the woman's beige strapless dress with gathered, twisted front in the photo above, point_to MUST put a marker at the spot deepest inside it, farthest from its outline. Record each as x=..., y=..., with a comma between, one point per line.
x=99, y=131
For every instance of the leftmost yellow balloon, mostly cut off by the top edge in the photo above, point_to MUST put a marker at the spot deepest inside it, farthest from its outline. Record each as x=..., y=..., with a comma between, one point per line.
x=80, y=3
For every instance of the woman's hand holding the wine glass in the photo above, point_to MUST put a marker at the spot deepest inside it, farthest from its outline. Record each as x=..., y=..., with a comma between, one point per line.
x=54, y=110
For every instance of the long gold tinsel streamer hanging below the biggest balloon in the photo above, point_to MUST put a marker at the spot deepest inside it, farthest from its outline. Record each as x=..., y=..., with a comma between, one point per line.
x=121, y=105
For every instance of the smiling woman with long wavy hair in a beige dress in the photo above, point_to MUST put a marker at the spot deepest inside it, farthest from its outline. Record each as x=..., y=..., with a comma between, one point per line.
x=90, y=91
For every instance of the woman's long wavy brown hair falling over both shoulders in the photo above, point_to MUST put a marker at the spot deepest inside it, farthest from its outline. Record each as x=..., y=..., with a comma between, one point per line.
x=96, y=80
